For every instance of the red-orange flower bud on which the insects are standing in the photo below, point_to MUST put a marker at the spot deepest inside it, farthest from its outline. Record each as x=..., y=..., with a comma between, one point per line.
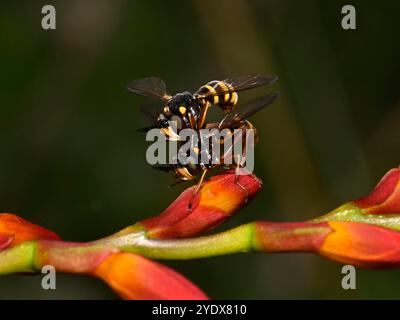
x=218, y=199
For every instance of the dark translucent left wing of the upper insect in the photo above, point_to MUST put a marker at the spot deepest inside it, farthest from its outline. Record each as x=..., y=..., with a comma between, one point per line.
x=152, y=87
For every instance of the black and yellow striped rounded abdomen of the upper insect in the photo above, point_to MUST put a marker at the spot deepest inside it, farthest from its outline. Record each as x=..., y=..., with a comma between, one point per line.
x=219, y=93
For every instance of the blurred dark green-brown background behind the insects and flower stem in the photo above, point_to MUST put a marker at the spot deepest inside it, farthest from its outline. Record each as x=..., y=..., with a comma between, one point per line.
x=72, y=161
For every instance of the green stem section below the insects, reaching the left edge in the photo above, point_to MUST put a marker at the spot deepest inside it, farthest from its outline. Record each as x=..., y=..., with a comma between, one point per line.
x=84, y=257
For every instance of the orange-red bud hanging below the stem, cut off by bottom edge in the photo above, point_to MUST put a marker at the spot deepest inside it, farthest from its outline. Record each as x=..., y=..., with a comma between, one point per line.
x=134, y=277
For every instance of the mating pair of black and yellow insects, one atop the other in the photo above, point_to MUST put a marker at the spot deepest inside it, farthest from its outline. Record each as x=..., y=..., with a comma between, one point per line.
x=187, y=110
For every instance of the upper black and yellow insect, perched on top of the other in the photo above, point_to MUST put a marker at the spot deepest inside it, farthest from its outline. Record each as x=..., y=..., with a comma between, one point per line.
x=192, y=108
